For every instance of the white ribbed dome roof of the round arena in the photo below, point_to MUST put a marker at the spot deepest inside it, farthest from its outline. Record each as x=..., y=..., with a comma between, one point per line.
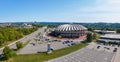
x=70, y=27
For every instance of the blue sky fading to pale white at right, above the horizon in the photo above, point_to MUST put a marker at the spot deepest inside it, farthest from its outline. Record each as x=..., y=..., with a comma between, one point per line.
x=60, y=11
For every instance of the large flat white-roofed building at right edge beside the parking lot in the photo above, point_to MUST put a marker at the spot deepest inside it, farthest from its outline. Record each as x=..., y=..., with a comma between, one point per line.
x=110, y=38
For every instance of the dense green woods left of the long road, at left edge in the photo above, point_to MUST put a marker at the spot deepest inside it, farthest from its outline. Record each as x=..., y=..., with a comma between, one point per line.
x=8, y=34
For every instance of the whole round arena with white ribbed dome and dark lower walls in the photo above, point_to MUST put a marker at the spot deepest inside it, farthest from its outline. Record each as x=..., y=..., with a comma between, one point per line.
x=69, y=31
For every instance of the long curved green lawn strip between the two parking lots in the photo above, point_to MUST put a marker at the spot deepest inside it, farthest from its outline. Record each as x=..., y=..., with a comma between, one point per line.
x=44, y=57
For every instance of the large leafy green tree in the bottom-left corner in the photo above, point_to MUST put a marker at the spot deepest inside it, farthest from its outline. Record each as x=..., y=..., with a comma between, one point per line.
x=7, y=53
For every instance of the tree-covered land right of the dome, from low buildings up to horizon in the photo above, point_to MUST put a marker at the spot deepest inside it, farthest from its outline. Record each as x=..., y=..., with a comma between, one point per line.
x=102, y=26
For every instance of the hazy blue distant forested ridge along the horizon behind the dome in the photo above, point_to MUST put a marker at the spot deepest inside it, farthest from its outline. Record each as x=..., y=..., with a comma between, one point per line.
x=88, y=25
